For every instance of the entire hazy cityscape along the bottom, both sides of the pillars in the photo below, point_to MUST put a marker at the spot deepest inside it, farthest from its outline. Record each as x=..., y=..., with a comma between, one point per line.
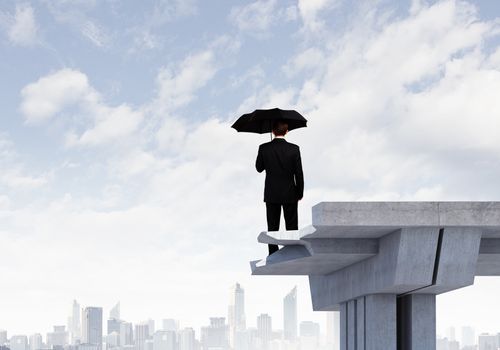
x=87, y=329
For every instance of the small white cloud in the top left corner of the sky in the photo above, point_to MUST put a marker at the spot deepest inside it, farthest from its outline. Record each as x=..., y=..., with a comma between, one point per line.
x=23, y=29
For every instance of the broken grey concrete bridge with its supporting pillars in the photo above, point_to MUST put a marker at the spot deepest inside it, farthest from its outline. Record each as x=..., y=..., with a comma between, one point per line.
x=381, y=264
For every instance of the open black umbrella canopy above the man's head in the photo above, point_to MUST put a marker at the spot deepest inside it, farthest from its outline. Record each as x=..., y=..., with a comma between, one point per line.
x=261, y=121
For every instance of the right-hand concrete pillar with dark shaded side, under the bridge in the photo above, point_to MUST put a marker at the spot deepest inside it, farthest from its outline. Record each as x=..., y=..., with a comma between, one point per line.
x=417, y=322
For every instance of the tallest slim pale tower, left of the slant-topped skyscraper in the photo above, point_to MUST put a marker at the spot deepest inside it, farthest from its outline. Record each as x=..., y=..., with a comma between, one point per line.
x=236, y=314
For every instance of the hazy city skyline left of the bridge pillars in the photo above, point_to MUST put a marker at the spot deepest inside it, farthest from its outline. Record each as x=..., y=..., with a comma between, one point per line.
x=225, y=332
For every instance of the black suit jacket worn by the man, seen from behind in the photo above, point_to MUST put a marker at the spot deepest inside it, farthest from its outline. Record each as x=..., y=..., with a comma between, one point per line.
x=283, y=166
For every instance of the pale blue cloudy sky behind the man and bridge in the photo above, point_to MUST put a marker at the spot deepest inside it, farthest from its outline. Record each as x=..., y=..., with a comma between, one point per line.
x=121, y=179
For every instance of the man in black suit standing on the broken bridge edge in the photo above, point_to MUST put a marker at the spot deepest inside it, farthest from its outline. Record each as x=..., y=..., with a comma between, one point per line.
x=284, y=185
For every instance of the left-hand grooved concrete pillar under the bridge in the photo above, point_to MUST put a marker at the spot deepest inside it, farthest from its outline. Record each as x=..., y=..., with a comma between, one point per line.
x=369, y=323
